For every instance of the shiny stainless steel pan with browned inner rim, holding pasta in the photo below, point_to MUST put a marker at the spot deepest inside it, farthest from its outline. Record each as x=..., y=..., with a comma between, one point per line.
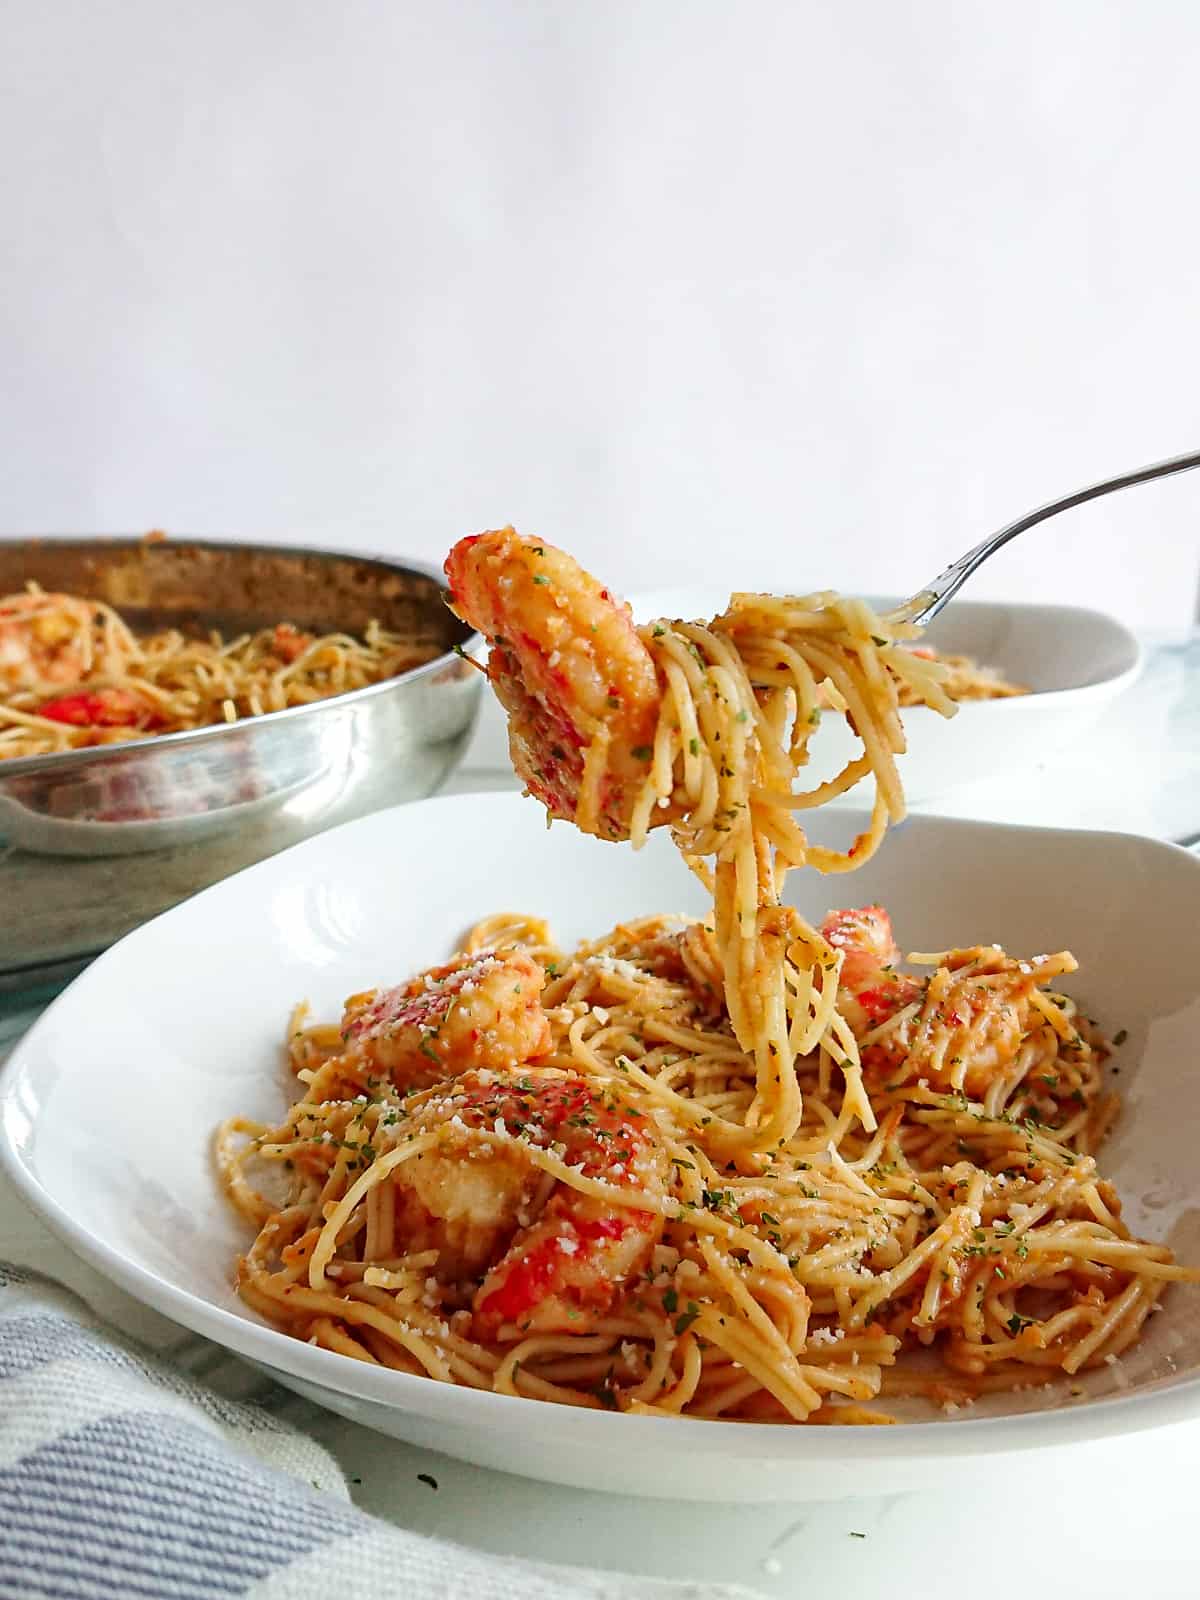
x=94, y=842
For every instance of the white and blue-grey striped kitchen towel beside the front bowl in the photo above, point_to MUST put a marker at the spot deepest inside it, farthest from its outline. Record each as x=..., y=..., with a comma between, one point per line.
x=122, y=1478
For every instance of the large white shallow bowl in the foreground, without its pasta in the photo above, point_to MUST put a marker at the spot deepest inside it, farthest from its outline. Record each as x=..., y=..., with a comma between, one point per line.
x=108, y=1108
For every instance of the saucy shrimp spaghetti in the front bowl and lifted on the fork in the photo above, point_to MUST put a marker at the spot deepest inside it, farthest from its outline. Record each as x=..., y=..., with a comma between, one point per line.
x=727, y=1169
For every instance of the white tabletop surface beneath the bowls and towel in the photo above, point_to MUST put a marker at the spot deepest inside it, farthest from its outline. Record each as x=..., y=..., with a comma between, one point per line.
x=1110, y=1519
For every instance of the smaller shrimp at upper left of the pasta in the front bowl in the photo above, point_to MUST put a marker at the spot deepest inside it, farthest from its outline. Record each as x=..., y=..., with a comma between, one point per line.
x=479, y=1010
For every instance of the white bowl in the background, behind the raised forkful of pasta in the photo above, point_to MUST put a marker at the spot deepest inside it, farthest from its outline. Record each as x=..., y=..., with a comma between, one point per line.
x=1076, y=662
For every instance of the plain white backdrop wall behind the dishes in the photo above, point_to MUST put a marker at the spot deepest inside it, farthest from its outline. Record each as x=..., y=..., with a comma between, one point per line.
x=786, y=294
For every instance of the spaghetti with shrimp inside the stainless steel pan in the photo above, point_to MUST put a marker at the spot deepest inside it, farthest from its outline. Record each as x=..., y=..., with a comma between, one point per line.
x=74, y=674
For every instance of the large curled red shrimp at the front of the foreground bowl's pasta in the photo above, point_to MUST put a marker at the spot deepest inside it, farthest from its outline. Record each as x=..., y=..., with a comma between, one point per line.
x=546, y=1257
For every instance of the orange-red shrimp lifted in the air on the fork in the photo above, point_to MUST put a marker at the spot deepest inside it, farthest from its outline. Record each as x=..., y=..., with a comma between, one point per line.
x=569, y=668
